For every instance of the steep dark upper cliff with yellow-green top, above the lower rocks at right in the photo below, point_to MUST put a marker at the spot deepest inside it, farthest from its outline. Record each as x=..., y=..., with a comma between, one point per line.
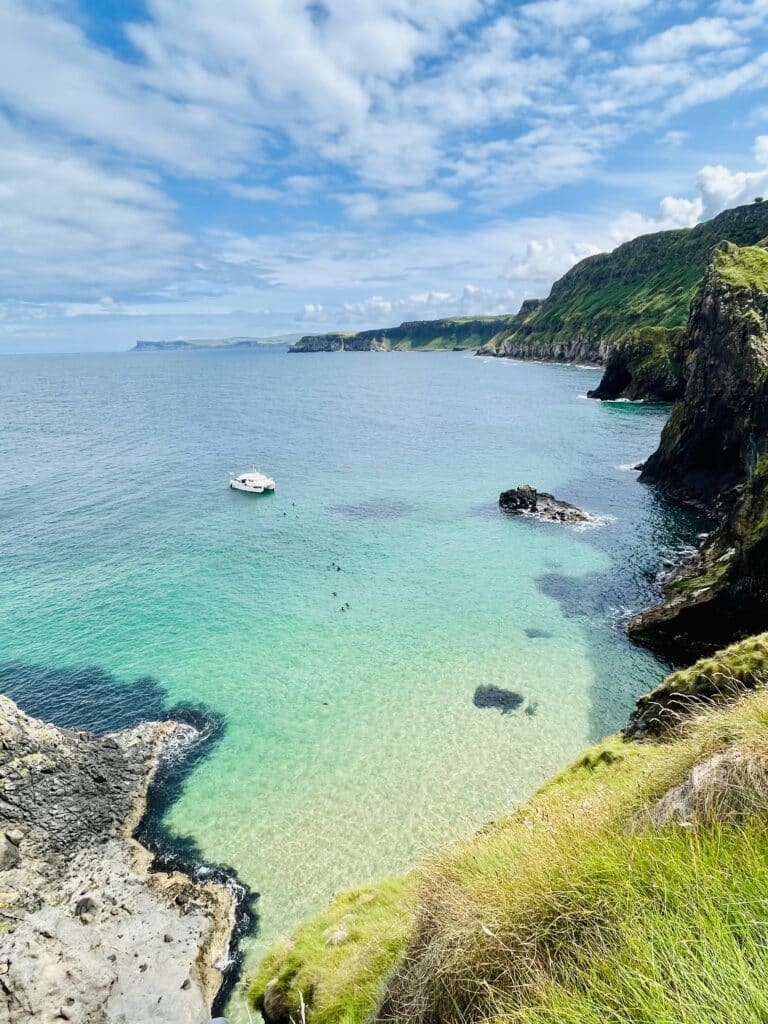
x=718, y=433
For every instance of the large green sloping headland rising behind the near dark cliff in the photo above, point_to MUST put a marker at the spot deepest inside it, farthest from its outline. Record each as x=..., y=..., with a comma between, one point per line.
x=647, y=283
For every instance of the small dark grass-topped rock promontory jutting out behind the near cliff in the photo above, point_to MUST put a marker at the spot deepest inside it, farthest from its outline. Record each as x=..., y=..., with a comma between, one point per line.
x=646, y=365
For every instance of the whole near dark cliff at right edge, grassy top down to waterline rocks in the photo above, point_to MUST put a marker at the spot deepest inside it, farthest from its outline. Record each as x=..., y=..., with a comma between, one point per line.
x=713, y=455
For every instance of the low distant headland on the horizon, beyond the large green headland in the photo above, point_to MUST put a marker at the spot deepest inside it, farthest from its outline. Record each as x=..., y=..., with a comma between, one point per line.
x=451, y=333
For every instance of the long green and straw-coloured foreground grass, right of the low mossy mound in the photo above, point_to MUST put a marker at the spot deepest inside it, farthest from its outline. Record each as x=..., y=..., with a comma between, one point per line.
x=540, y=912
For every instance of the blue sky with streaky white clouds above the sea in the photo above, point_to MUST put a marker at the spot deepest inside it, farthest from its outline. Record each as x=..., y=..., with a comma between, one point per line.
x=189, y=168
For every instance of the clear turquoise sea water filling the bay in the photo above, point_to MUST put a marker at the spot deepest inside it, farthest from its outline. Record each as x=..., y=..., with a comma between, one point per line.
x=132, y=577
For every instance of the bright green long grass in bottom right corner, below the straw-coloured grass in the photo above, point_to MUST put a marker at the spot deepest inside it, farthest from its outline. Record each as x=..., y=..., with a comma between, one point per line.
x=670, y=927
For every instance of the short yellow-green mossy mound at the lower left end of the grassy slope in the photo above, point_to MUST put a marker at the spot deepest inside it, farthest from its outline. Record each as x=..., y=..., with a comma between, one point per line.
x=338, y=963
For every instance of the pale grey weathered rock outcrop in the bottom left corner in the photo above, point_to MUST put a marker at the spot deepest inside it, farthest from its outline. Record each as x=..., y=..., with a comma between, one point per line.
x=88, y=935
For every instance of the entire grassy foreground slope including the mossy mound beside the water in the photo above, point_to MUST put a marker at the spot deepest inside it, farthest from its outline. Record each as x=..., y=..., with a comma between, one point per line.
x=628, y=889
